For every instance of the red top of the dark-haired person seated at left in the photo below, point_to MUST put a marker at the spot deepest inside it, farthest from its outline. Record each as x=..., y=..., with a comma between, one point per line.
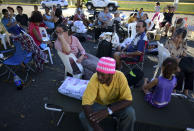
x=31, y=27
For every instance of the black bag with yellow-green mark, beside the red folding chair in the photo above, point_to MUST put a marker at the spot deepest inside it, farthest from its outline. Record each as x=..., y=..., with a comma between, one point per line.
x=135, y=77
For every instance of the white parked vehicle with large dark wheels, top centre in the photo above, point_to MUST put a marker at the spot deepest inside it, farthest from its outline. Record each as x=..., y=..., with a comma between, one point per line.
x=93, y=4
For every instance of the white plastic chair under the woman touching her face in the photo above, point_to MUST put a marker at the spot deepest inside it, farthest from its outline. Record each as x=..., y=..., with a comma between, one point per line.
x=68, y=68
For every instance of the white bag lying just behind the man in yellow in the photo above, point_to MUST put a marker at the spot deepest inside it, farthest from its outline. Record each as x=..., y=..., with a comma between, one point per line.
x=73, y=87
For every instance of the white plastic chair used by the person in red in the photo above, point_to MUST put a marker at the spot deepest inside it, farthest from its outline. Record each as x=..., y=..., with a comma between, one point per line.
x=46, y=39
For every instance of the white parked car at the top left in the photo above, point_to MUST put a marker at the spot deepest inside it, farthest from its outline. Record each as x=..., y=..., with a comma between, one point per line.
x=58, y=3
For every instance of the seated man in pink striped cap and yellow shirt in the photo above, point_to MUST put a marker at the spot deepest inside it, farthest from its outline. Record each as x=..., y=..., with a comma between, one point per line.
x=107, y=94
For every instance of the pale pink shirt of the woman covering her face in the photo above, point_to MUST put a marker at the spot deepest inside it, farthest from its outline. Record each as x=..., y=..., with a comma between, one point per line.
x=75, y=46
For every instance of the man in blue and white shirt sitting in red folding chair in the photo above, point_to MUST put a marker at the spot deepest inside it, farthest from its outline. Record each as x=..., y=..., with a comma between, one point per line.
x=135, y=49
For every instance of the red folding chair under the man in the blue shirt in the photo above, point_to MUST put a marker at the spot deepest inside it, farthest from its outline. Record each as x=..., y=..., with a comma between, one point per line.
x=139, y=64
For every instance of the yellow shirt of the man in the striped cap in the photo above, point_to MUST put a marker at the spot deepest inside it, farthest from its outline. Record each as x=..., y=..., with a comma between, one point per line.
x=105, y=95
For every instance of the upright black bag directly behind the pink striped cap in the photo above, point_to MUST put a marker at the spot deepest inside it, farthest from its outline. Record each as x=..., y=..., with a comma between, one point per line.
x=104, y=49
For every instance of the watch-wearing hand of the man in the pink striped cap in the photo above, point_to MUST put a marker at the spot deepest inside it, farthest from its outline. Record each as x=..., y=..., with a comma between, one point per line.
x=98, y=116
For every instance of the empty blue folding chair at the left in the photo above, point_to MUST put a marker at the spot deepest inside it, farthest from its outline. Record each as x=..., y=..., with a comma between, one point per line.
x=19, y=57
